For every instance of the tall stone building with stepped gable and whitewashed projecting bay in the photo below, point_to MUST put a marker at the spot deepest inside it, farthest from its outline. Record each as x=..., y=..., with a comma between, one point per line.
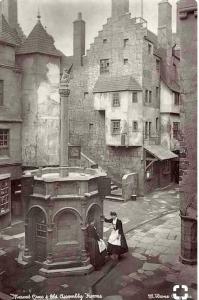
x=124, y=105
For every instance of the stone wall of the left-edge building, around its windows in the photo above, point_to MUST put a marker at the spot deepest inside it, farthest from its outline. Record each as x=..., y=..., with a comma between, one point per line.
x=10, y=112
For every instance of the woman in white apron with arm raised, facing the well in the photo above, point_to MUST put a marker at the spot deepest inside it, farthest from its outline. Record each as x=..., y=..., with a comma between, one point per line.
x=117, y=244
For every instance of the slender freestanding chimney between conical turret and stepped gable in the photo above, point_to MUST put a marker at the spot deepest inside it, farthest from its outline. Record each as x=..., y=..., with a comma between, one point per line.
x=78, y=41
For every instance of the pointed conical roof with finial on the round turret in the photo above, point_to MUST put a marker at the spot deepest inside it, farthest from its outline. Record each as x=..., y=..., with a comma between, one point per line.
x=39, y=41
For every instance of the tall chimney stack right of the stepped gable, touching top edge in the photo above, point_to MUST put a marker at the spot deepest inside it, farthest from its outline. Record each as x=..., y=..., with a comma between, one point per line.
x=164, y=24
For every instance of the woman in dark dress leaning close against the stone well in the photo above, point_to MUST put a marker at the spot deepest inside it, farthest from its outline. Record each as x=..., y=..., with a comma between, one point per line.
x=97, y=258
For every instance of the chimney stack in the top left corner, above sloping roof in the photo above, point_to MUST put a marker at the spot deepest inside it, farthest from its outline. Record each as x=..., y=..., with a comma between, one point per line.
x=9, y=10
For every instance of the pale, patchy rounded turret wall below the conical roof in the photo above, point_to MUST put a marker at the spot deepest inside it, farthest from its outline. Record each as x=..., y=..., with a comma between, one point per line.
x=41, y=109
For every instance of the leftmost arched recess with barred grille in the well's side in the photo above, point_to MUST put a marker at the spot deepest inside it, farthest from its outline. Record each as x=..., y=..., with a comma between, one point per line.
x=37, y=233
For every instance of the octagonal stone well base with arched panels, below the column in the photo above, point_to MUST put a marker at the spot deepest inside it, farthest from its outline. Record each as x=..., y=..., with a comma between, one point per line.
x=57, y=210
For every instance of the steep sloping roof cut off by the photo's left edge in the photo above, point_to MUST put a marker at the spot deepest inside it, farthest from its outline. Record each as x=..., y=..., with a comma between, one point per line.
x=6, y=33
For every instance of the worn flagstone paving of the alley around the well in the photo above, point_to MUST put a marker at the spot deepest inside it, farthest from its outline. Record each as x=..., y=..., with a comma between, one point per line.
x=149, y=270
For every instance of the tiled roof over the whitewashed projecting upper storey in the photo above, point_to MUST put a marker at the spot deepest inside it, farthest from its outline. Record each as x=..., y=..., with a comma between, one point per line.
x=116, y=83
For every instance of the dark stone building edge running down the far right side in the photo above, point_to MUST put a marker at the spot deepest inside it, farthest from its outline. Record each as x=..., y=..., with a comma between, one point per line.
x=187, y=31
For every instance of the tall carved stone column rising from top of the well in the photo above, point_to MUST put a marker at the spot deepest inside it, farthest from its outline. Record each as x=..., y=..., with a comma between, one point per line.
x=64, y=123
